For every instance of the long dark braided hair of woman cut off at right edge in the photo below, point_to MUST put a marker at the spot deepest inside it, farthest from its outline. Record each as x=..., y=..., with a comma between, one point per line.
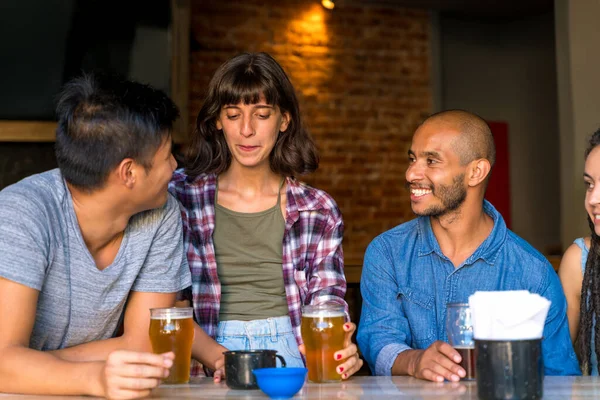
x=589, y=310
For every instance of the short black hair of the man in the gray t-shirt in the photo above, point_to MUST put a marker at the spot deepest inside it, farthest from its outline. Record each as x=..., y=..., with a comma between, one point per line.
x=103, y=119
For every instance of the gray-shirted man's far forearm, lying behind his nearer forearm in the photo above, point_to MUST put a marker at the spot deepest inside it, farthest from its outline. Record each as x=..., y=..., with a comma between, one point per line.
x=99, y=350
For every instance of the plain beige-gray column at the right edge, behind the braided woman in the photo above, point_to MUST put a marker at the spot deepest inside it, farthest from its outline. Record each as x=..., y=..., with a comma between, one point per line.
x=578, y=66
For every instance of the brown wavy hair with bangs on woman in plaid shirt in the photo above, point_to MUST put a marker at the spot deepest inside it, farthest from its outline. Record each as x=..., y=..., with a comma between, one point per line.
x=246, y=78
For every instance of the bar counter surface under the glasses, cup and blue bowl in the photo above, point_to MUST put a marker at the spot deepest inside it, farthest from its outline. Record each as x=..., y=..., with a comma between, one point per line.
x=363, y=387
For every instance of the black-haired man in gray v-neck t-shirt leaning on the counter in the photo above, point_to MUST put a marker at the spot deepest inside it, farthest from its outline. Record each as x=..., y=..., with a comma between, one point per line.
x=92, y=243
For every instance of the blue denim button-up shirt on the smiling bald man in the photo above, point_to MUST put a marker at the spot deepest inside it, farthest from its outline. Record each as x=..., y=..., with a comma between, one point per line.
x=407, y=281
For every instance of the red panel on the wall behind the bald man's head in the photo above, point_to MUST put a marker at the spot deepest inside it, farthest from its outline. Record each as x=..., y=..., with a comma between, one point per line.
x=498, y=191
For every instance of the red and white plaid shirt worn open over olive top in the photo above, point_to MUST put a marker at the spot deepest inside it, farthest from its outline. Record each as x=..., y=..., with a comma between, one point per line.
x=313, y=261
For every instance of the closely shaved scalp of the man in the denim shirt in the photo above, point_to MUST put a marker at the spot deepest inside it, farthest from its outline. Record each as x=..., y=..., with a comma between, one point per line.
x=475, y=140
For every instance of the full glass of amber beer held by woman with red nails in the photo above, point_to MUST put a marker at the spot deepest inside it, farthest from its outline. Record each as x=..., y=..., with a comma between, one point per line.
x=323, y=334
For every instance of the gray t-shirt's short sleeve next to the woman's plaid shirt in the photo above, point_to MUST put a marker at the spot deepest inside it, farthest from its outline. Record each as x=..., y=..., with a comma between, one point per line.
x=165, y=269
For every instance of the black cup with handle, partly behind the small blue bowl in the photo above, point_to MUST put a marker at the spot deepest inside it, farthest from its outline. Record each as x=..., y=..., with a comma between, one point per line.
x=240, y=364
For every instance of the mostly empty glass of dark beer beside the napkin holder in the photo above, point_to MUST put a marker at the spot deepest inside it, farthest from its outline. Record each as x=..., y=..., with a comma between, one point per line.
x=459, y=329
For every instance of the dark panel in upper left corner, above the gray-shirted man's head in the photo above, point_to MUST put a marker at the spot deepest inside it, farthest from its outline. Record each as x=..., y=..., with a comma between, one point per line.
x=46, y=42
